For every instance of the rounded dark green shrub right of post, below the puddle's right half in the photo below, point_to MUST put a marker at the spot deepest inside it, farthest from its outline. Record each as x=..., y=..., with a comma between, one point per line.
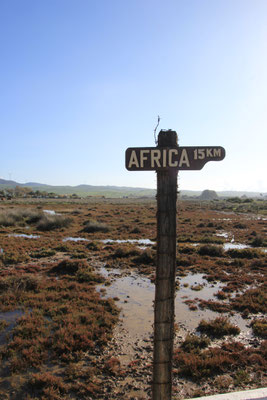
x=218, y=327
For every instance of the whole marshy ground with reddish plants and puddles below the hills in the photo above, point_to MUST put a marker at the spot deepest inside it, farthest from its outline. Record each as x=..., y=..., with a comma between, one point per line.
x=77, y=290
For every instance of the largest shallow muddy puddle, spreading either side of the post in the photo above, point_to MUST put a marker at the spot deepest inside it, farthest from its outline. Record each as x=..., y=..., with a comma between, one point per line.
x=137, y=294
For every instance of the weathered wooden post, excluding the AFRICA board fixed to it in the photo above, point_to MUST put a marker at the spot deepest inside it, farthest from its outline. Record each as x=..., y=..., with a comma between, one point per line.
x=165, y=274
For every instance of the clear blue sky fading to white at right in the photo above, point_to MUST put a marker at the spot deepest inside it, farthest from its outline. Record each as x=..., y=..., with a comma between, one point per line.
x=82, y=80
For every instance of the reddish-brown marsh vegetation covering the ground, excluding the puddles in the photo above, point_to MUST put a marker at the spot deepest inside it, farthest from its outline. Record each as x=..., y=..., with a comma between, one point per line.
x=53, y=347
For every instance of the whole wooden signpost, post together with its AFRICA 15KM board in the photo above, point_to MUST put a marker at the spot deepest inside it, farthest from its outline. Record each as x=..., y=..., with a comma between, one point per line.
x=166, y=159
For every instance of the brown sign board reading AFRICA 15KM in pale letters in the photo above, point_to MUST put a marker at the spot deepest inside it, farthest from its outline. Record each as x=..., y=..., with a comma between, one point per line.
x=180, y=158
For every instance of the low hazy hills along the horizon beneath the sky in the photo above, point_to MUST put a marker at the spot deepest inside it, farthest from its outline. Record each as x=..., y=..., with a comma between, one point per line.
x=115, y=191
